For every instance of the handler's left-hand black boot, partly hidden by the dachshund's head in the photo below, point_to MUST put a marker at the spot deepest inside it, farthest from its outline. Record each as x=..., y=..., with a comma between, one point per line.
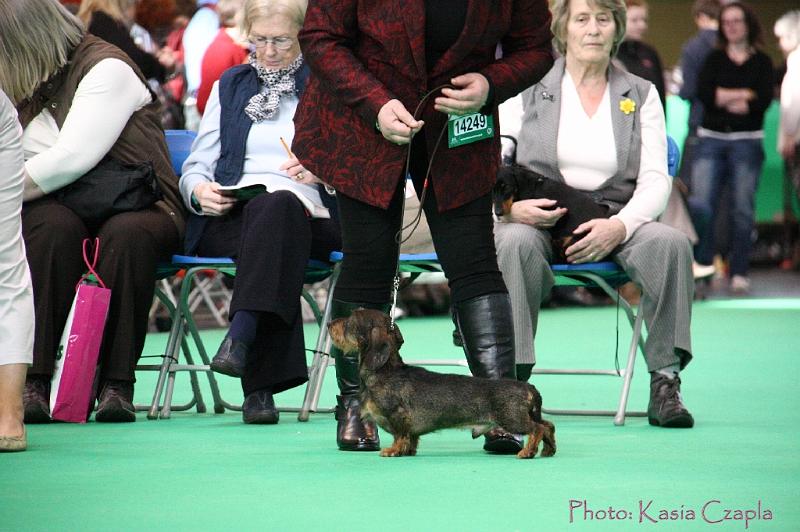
x=352, y=433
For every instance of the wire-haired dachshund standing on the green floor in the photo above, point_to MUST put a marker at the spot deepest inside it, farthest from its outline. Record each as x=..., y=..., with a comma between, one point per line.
x=409, y=401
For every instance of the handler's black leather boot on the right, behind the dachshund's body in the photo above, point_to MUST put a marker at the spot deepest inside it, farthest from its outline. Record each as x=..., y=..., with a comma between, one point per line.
x=487, y=333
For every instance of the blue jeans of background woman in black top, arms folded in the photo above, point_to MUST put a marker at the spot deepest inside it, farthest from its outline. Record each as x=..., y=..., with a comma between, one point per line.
x=737, y=165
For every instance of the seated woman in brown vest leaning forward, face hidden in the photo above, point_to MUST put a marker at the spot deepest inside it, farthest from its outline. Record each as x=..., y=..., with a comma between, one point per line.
x=82, y=101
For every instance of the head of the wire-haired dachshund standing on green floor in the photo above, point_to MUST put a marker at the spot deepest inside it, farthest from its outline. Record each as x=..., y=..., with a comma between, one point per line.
x=370, y=334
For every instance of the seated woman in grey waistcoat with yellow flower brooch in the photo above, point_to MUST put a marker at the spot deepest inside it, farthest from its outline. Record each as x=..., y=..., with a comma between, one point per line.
x=601, y=130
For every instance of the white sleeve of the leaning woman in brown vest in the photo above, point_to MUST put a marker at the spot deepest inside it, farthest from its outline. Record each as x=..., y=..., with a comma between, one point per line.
x=104, y=101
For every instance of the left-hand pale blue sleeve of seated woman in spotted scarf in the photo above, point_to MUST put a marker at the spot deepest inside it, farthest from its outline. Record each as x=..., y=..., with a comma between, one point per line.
x=202, y=162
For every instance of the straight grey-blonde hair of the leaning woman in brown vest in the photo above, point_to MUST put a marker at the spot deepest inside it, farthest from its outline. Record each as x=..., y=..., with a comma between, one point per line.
x=38, y=37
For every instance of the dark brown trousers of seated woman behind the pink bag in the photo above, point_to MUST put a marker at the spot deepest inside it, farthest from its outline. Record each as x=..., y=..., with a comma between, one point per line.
x=131, y=244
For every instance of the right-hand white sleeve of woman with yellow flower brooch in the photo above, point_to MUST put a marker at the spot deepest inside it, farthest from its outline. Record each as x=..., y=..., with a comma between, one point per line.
x=653, y=183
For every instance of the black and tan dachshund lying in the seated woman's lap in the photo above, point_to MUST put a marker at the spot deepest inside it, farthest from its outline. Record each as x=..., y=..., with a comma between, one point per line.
x=516, y=183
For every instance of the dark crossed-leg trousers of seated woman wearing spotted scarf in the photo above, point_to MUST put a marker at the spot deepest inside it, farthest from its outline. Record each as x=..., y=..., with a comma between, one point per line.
x=271, y=238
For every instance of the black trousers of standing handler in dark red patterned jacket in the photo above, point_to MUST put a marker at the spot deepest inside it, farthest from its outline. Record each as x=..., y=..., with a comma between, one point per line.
x=463, y=238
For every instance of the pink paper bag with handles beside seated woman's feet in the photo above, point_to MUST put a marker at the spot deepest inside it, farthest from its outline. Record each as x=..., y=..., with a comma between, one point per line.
x=71, y=392
